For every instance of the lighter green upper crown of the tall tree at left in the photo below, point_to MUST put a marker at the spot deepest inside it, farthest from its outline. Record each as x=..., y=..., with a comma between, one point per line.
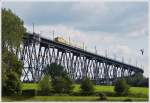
x=13, y=29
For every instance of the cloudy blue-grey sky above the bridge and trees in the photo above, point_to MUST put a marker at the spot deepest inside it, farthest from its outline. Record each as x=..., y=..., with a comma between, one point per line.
x=116, y=29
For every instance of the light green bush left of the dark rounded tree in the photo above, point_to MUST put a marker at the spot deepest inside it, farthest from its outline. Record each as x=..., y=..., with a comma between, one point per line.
x=45, y=85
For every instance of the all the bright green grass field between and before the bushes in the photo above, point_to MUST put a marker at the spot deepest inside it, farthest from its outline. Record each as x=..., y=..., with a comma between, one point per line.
x=136, y=94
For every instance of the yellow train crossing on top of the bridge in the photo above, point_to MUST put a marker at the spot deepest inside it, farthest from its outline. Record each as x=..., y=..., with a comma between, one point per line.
x=71, y=43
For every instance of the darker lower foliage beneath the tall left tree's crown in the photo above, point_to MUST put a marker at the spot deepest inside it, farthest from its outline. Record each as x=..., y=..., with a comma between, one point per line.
x=11, y=84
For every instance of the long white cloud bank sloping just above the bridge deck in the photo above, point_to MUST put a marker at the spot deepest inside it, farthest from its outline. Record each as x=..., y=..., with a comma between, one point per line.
x=101, y=40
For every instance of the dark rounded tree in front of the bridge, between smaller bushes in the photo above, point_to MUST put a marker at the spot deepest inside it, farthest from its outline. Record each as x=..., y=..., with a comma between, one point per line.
x=61, y=82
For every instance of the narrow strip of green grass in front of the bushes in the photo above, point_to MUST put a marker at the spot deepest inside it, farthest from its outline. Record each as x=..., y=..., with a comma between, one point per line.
x=67, y=98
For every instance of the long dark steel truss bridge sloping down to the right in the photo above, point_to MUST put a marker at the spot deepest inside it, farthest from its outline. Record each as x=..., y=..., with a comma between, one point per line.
x=37, y=52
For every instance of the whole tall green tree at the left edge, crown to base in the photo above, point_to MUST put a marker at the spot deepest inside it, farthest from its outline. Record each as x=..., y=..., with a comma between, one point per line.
x=12, y=32
